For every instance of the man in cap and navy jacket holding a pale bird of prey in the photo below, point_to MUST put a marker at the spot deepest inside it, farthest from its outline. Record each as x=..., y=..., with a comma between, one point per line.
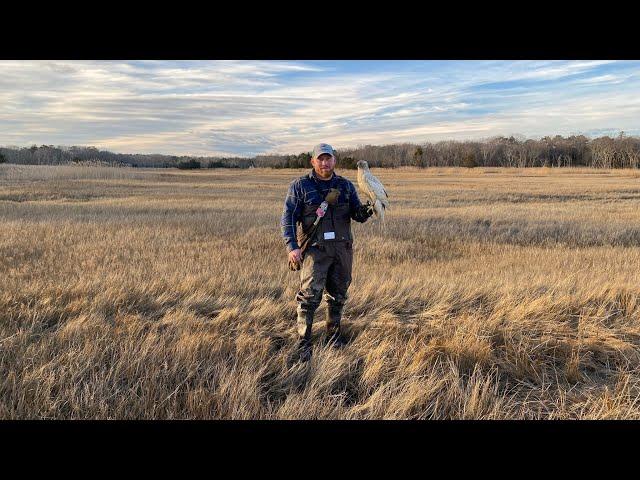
x=327, y=261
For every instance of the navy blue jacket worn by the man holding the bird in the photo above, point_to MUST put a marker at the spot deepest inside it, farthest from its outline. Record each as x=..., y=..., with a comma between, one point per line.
x=309, y=190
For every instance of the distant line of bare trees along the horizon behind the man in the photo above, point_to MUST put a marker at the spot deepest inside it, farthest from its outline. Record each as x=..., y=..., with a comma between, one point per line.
x=622, y=151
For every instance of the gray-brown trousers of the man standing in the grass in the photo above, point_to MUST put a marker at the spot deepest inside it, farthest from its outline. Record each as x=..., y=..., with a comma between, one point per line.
x=324, y=266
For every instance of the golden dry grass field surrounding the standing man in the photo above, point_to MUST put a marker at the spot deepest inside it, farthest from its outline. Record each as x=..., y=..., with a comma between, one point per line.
x=154, y=294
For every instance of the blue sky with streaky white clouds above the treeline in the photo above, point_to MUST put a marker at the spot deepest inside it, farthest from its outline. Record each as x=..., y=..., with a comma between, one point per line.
x=246, y=108
